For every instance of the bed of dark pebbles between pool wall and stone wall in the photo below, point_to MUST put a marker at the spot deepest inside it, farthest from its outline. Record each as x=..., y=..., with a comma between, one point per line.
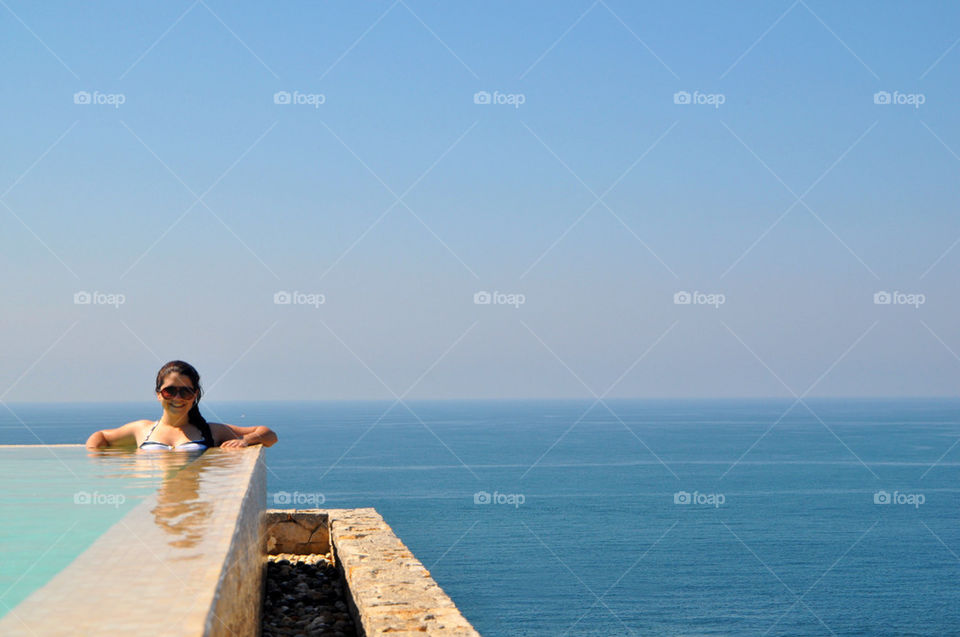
x=304, y=596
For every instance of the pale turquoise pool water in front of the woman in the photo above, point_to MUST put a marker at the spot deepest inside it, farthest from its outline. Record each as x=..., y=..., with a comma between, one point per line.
x=56, y=500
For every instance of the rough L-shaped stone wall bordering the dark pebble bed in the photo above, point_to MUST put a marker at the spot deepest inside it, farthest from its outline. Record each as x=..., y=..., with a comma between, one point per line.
x=390, y=591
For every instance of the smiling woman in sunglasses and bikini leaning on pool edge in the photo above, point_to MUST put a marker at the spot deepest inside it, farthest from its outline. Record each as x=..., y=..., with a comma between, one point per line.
x=181, y=428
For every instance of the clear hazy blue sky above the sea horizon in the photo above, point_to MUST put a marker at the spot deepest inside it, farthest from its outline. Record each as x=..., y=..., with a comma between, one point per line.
x=788, y=161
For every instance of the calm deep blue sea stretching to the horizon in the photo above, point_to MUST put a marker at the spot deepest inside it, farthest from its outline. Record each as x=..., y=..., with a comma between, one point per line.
x=639, y=517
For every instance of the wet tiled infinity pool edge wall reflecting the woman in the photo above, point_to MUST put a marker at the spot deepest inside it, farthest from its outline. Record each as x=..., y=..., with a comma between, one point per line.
x=185, y=561
